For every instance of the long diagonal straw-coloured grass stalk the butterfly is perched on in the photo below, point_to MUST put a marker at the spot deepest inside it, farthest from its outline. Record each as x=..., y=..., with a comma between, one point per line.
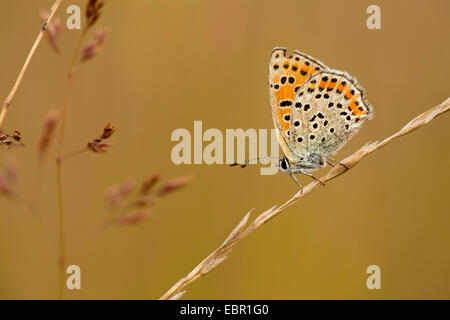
x=242, y=231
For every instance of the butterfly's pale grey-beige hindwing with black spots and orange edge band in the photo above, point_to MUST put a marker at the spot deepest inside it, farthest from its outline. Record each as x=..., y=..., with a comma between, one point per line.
x=328, y=109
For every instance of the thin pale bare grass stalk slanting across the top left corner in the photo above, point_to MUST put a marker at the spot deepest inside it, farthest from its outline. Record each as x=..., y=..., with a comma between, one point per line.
x=10, y=96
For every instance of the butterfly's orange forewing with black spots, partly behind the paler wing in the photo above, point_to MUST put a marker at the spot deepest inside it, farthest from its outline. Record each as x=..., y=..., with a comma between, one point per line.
x=286, y=75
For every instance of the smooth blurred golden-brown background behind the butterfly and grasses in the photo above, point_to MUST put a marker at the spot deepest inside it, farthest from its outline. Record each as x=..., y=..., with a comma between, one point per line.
x=167, y=63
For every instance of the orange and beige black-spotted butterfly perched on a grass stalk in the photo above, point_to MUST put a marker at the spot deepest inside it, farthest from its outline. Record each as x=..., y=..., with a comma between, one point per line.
x=315, y=110
